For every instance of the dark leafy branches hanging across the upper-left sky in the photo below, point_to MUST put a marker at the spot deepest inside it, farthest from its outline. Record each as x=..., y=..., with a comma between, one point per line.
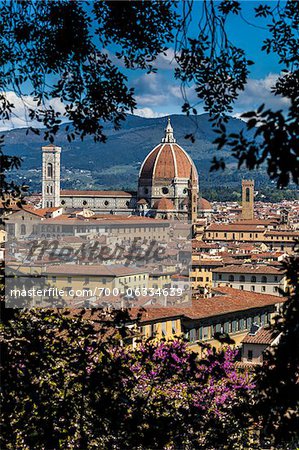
x=58, y=49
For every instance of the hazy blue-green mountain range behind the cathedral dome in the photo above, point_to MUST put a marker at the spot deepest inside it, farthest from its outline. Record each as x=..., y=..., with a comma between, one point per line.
x=116, y=163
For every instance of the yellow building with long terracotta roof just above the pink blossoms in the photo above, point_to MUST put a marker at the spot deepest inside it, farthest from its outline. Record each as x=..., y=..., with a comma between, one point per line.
x=226, y=311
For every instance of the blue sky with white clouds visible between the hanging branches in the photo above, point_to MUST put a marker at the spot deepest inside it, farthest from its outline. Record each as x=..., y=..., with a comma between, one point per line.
x=158, y=94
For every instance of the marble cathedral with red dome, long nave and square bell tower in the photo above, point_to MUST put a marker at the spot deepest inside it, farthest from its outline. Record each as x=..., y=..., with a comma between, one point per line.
x=167, y=186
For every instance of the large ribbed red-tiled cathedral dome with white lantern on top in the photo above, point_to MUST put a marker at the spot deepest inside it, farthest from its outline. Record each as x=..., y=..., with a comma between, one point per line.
x=167, y=161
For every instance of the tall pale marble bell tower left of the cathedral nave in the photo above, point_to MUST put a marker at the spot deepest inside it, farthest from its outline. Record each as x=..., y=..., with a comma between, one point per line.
x=51, y=176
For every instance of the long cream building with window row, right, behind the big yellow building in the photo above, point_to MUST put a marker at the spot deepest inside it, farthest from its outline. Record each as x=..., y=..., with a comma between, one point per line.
x=260, y=278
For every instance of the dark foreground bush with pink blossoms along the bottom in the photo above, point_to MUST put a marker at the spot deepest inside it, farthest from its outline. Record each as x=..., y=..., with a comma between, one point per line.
x=67, y=383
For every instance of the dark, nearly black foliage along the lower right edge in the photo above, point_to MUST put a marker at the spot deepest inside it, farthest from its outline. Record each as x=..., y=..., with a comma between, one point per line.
x=277, y=399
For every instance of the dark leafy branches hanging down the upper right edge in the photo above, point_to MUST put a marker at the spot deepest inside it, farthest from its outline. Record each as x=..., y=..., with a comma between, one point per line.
x=276, y=134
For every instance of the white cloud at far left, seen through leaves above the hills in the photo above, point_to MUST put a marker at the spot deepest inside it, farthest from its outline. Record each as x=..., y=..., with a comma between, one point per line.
x=19, y=116
